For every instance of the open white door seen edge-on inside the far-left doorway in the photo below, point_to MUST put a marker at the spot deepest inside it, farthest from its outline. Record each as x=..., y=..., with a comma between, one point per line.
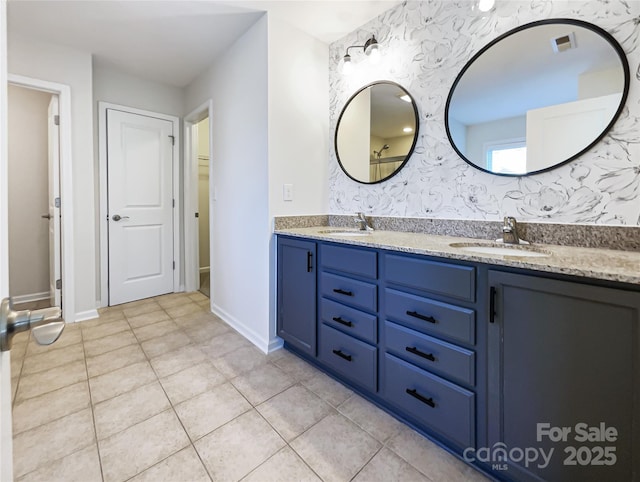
x=54, y=206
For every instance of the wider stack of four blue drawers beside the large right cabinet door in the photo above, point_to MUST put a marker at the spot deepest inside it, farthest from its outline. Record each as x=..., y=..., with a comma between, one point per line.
x=428, y=345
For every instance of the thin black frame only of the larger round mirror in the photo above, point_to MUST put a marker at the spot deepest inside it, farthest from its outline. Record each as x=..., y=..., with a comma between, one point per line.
x=581, y=23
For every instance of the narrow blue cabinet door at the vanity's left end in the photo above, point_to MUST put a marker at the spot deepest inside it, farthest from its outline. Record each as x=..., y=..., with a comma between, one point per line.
x=297, y=293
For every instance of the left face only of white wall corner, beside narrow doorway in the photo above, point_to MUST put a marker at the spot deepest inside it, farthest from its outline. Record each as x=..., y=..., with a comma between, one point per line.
x=240, y=232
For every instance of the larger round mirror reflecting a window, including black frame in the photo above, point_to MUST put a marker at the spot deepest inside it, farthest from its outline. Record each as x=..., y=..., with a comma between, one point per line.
x=536, y=97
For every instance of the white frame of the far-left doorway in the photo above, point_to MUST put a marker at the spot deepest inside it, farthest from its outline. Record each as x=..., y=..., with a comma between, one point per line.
x=67, y=258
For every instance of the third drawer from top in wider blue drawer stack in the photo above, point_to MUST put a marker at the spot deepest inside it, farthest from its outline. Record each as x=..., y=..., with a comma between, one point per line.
x=438, y=356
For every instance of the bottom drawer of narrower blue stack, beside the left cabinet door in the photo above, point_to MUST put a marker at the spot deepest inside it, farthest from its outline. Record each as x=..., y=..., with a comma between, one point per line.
x=353, y=359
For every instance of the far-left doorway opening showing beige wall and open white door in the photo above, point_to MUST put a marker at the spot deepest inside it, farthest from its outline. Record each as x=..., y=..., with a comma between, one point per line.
x=34, y=198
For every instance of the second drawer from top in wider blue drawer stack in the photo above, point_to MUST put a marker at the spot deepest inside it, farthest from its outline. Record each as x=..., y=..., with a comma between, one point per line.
x=430, y=316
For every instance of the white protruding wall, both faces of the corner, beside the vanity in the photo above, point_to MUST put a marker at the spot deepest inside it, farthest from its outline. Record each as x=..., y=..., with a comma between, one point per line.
x=270, y=127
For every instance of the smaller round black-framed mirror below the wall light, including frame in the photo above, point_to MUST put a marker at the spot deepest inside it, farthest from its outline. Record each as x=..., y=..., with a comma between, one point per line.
x=376, y=133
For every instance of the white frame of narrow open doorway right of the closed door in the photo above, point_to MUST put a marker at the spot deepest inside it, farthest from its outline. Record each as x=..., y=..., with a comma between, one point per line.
x=191, y=235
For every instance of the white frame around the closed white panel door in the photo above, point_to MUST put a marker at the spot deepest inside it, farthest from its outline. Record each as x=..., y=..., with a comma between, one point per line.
x=104, y=201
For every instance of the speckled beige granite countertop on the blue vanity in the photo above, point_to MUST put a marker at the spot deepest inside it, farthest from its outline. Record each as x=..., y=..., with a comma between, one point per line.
x=604, y=264
